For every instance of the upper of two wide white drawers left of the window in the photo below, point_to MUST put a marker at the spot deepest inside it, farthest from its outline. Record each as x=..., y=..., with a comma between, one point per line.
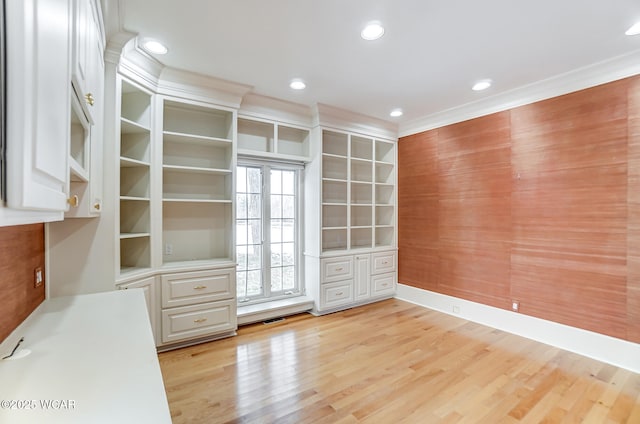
x=189, y=288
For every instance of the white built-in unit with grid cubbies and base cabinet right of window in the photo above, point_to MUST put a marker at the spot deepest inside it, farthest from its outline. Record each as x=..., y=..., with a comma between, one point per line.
x=350, y=257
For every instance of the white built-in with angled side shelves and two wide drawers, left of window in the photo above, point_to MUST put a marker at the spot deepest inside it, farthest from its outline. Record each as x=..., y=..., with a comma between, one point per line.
x=175, y=210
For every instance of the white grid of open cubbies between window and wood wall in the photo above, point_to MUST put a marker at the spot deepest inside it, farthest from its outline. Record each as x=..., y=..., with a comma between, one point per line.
x=358, y=192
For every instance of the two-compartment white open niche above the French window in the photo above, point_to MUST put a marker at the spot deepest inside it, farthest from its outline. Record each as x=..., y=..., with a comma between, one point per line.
x=272, y=139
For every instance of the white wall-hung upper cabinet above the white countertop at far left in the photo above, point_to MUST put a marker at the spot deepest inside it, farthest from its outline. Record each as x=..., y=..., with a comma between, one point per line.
x=54, y=137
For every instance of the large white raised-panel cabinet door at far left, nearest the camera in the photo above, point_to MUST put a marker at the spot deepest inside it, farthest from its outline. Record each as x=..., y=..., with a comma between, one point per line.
x=38, y=98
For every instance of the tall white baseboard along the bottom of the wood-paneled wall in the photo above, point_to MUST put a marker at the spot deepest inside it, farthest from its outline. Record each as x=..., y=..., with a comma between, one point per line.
x=611, y=350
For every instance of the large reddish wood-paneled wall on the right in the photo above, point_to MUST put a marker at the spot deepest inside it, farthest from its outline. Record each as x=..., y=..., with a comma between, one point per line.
x=539, y=204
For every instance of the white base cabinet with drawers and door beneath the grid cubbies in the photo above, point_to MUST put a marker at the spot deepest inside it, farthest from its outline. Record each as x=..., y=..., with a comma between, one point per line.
x=352, y=280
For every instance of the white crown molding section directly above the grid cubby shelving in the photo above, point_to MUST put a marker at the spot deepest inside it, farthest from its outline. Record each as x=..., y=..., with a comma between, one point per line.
x=346, y=120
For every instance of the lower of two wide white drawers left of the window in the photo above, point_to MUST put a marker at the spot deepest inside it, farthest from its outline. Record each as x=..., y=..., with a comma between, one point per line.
x=189, y=322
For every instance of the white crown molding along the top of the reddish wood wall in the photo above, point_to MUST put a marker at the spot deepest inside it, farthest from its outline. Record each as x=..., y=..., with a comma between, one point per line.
x=590, y=76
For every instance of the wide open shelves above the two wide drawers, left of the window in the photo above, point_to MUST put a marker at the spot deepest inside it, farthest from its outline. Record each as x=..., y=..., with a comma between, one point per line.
x=197, y=184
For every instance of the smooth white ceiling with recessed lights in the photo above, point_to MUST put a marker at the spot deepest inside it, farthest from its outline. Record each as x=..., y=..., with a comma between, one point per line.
x=430, y=56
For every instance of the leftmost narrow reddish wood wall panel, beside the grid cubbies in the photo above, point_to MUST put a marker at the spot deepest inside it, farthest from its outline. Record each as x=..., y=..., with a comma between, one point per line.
x=418, y=210
